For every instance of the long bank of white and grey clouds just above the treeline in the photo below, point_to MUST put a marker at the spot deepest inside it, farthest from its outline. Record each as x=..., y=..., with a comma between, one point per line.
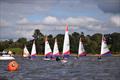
x=54, y=25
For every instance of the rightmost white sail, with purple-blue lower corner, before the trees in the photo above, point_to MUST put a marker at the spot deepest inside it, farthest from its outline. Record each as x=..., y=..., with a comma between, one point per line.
x=104, y=47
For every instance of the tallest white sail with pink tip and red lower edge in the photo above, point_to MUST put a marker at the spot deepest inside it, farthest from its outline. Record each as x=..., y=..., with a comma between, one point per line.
x=66, y=45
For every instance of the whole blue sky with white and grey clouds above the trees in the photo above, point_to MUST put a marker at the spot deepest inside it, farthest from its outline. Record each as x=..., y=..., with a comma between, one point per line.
x=19, y=18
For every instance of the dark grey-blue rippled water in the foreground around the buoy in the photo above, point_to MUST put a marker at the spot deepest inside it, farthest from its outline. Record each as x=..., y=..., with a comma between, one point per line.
x=84, y=68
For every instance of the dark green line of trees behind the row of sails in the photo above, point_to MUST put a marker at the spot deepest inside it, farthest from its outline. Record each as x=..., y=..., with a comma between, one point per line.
x=92, y=43
